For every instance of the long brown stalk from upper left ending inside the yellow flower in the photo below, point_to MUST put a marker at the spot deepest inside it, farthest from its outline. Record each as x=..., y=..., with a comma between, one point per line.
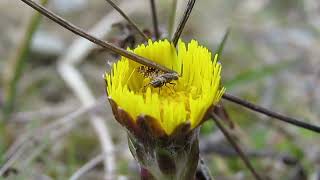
x=82, y=33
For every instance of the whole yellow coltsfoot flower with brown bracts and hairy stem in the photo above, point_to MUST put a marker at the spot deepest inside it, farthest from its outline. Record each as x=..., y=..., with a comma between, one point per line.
x=162, y=122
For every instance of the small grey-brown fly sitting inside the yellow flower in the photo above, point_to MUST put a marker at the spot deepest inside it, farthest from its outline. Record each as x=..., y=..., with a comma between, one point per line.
x=158, y=77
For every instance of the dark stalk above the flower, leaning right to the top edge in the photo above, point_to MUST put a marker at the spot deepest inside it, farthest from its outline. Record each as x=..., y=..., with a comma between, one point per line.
x=183, y=22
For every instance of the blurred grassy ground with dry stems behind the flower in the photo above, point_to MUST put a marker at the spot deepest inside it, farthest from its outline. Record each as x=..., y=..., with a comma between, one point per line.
x=56, y=121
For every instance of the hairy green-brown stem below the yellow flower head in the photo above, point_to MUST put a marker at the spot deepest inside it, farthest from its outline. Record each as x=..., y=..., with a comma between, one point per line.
x=174, y=158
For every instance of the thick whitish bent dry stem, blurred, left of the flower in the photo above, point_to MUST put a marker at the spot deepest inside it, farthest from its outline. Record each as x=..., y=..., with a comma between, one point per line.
x=78, y=50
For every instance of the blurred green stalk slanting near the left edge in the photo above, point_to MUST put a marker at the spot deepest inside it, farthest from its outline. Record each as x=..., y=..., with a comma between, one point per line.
x=17, y=64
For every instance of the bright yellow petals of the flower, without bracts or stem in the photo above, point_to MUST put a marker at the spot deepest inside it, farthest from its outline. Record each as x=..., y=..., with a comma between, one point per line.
x=184, y=102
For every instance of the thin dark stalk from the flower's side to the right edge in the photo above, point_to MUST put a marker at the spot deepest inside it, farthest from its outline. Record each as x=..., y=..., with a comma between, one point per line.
x=270, y=113
